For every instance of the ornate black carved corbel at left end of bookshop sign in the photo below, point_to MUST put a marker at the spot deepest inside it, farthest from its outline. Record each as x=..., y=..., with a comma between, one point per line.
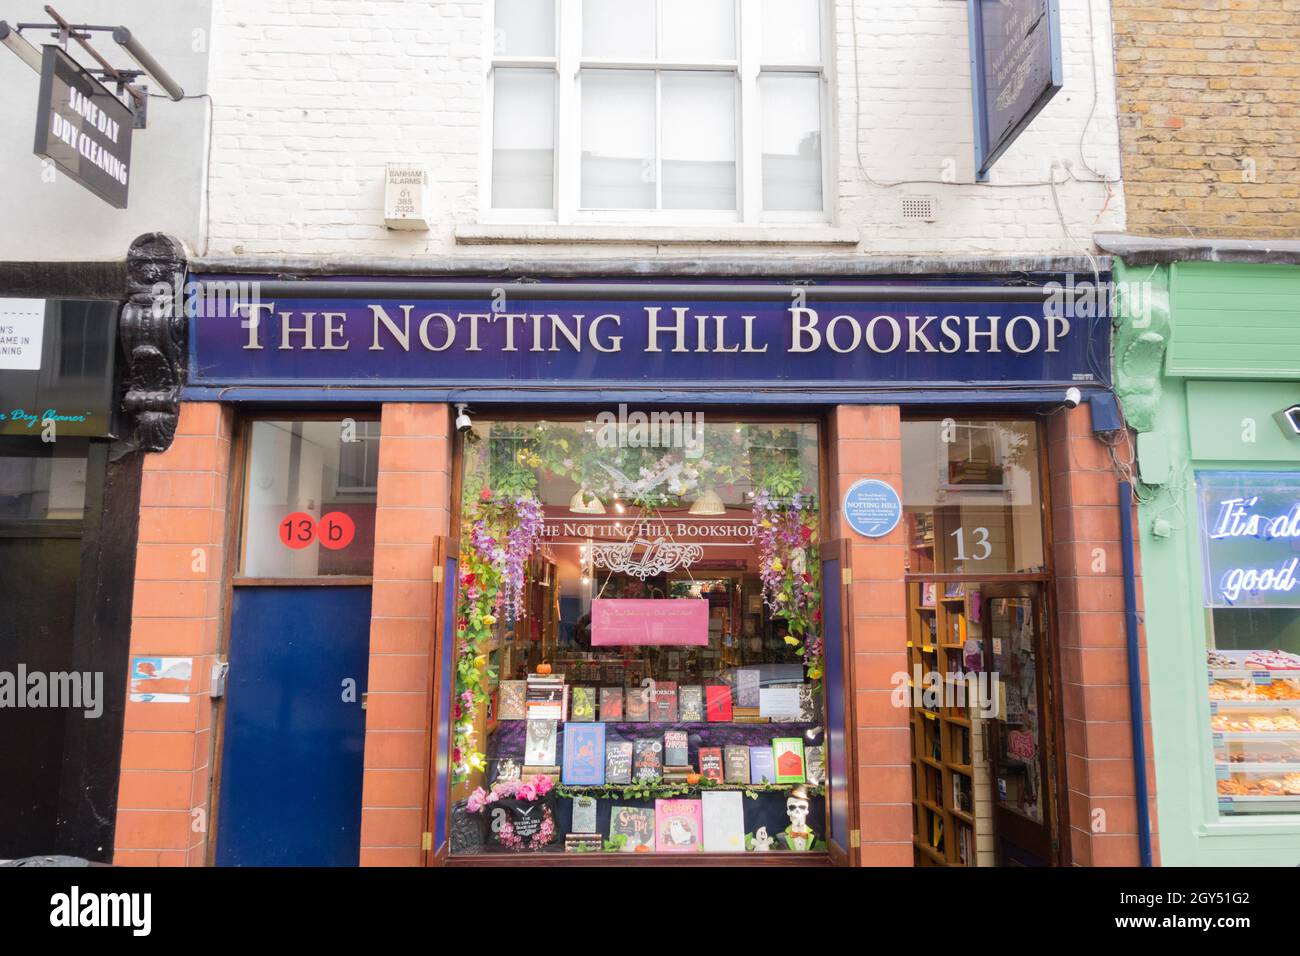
x=153, y=330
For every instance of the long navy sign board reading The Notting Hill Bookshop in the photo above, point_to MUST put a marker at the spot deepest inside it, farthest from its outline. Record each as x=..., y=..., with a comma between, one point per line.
x=566, y=336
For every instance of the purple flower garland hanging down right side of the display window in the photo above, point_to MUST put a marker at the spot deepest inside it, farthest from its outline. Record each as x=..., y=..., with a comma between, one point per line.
x=786, y=534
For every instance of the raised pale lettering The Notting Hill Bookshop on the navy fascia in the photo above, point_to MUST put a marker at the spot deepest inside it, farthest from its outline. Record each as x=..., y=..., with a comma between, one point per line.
x=665, y=330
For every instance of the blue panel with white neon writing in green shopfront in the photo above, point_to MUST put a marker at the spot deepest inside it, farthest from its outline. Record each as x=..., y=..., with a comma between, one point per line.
x=1251, y=533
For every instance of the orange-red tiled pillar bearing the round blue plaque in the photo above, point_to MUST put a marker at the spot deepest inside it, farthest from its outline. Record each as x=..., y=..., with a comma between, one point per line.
x=866, y=442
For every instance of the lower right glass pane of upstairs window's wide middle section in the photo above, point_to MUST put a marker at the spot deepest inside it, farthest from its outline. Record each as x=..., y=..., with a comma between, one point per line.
x=699, y=141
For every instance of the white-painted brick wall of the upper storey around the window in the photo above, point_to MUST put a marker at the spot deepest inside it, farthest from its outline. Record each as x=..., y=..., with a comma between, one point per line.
x=314, y=97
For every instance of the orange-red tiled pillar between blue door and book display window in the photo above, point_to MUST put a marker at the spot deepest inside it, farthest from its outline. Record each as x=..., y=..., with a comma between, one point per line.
x=414, y=509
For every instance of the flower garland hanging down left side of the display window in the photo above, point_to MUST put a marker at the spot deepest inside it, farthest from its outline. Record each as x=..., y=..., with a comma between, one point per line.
x=505, y=534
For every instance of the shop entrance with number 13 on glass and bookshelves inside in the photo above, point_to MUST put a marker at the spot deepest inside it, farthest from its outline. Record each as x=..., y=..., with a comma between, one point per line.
x=982, y=730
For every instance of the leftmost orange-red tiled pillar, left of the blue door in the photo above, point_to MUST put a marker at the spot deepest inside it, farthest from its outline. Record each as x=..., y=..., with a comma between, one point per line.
x=163, y=790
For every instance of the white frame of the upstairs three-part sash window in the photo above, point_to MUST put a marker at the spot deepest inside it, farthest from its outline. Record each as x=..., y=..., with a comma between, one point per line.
x=567, y=67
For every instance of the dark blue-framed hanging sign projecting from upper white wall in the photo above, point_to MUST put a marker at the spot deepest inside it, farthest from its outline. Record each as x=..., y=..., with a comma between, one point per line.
x=1016, y=70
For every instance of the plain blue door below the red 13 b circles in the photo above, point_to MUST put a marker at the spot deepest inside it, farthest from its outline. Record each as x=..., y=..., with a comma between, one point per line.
x=291, y=789
